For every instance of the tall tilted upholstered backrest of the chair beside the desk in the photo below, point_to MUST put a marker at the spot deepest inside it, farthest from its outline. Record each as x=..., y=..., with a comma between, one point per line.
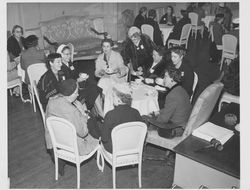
x=203, y=107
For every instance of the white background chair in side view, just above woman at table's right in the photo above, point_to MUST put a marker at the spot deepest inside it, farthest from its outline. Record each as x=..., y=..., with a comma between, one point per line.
x=184, y=36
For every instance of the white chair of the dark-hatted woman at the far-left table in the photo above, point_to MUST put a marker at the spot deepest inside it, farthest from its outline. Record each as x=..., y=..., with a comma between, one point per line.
x=35, y=71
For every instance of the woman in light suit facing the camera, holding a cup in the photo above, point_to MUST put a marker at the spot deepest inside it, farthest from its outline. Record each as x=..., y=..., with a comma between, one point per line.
x=110, y=67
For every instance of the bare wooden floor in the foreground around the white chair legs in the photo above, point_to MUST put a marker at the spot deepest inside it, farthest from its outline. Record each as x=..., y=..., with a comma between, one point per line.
x=29, y=166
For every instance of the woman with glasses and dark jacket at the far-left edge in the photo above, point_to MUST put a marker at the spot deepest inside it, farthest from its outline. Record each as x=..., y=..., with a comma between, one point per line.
x=15, y=43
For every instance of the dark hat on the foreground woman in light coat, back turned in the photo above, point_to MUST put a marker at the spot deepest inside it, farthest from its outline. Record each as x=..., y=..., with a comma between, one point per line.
x=67, y=87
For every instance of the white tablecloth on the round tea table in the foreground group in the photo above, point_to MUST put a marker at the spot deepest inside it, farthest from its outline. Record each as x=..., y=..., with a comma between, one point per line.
x=145, y=99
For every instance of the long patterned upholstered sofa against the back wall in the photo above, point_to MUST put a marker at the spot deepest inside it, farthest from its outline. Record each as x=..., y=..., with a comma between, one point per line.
x=72, y=29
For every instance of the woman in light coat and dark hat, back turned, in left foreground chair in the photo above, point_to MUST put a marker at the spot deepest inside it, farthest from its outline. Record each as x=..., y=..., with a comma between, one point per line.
x=65, y=105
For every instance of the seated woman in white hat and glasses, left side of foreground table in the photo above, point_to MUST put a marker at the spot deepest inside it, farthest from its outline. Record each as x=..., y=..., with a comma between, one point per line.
x=89, y=91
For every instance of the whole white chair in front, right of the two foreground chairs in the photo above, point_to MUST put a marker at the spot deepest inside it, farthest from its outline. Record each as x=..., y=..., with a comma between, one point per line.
x=127, y=142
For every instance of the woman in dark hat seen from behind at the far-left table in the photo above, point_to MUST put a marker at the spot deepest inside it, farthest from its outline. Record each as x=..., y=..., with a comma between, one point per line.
x=31, y=55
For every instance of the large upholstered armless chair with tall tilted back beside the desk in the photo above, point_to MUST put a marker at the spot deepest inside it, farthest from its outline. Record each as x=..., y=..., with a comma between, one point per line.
x=201, y=112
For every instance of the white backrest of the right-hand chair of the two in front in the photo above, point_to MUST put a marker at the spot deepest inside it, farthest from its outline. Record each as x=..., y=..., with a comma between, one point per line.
x=128, y=138
